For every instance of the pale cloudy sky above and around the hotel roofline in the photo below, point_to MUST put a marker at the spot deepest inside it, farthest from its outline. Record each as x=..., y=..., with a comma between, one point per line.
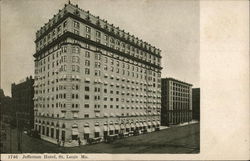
x=170, y=25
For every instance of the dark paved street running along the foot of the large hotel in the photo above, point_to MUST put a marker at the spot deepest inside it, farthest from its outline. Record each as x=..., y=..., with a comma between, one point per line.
x=184, y=139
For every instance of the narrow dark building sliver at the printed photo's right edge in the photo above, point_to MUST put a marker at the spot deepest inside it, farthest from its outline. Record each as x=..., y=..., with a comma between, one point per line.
x=196, y=103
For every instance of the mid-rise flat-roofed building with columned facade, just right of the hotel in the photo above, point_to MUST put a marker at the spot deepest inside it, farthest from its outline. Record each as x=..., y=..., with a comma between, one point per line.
x=176, y=102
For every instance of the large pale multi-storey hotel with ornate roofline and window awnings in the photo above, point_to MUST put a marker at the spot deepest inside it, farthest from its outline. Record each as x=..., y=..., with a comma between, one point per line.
x=93, y=80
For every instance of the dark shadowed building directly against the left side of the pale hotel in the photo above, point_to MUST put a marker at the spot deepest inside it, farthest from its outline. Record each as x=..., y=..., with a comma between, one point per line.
x=22, y=95
